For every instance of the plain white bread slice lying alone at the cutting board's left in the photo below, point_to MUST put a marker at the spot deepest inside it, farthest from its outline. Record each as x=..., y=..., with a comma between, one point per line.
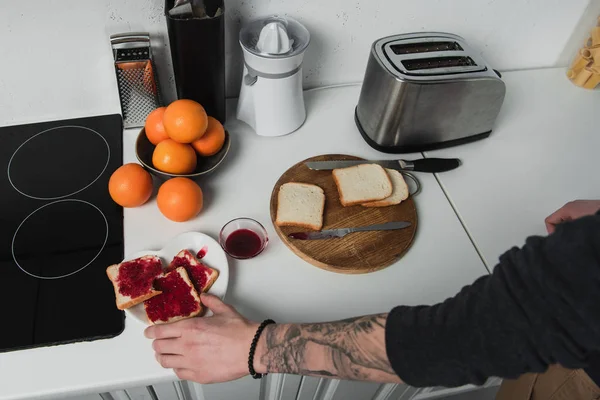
x=300, y=204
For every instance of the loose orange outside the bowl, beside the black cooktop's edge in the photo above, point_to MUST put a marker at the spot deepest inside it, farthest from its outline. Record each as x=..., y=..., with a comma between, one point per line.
x=130, y=185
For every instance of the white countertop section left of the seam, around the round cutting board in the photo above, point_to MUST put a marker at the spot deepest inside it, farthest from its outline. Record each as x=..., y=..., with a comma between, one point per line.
x=276, y=284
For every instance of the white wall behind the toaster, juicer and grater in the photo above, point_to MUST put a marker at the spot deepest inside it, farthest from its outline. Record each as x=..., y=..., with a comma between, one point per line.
x=63, y=45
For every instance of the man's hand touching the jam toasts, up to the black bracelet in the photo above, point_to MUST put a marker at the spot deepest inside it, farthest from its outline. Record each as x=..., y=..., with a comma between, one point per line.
x=205, y=350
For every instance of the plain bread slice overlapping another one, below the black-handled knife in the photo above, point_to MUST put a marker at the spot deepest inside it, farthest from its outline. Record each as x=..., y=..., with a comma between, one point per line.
x=362, y=184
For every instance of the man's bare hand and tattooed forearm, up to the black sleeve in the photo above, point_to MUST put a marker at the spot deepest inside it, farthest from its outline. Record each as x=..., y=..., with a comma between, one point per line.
x=215, y=349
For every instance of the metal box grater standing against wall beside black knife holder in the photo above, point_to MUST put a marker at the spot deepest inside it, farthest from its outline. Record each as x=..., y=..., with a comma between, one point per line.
x=136, y=77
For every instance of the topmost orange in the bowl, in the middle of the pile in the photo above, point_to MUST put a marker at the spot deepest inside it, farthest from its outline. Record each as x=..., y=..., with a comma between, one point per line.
x=185, y=121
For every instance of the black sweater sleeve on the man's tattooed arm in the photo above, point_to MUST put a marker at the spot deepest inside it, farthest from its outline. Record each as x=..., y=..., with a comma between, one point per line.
x=540, y=306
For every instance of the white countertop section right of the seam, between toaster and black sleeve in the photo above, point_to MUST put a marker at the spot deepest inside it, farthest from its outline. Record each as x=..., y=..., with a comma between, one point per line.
x=543, y=153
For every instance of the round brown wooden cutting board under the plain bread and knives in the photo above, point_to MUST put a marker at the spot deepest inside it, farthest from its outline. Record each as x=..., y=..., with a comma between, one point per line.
x=356, y=253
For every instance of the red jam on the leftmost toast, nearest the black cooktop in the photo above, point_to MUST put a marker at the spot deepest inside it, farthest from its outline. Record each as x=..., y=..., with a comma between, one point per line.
x=136, y=276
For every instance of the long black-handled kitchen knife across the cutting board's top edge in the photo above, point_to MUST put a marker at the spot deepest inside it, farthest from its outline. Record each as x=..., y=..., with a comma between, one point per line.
x=432, y=165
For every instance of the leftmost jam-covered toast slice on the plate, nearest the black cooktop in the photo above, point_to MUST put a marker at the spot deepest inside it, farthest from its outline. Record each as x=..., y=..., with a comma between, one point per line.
x=133, y=280
